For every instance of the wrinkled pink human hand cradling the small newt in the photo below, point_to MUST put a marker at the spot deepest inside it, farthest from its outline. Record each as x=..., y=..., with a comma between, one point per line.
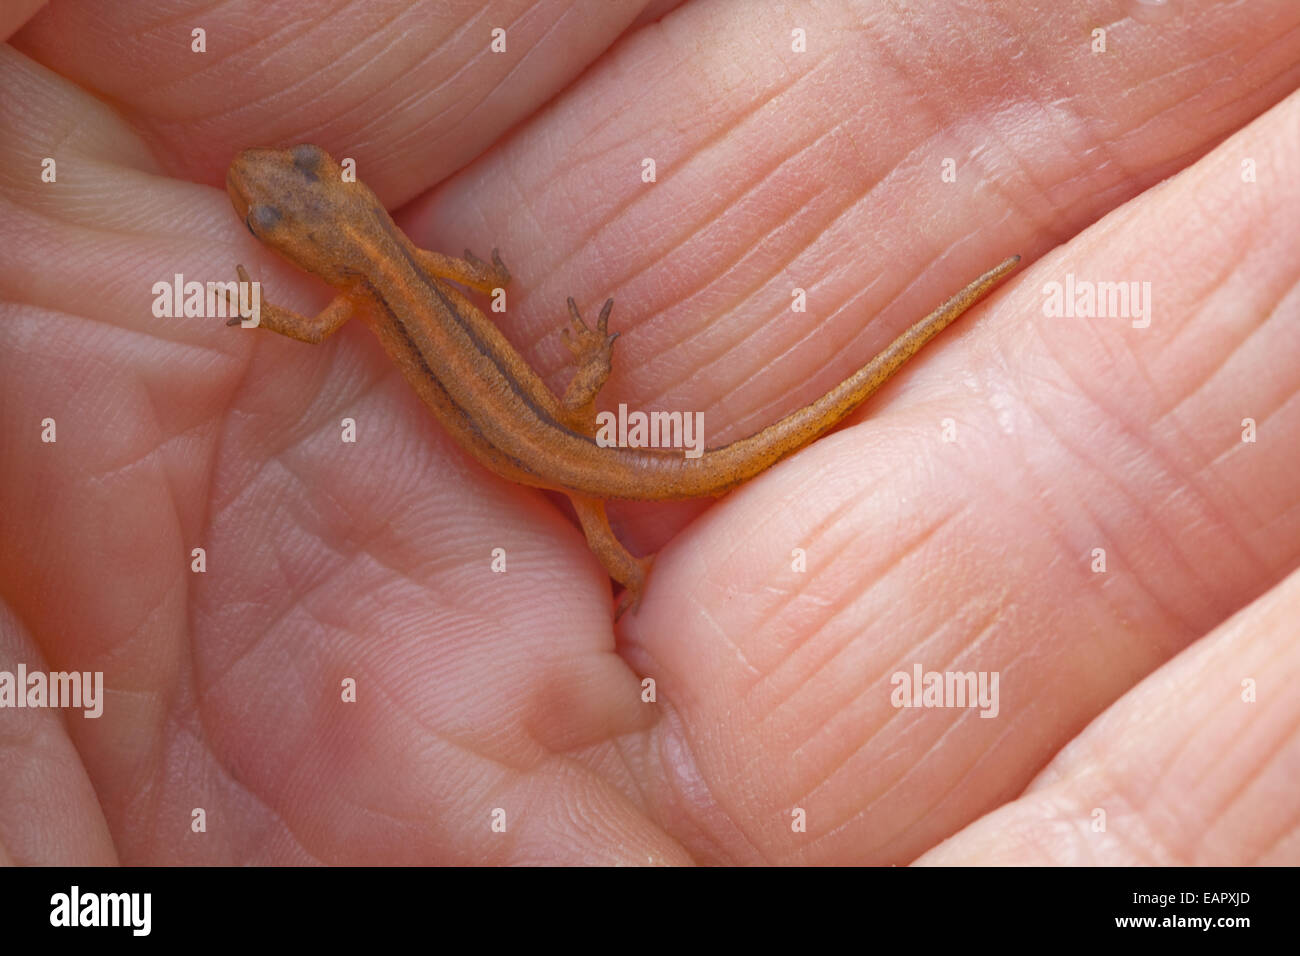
x=482, y=691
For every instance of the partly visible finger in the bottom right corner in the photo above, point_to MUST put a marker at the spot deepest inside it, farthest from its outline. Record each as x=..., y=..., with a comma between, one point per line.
x=1195, y=767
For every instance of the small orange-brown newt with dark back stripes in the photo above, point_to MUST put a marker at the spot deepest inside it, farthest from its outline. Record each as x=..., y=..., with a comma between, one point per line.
x=480, y=388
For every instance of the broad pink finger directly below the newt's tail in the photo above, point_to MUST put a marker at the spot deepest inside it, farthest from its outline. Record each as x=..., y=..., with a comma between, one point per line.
x=981, y=553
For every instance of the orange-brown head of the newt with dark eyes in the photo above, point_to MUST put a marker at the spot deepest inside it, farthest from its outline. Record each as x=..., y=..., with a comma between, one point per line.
x=297, y=202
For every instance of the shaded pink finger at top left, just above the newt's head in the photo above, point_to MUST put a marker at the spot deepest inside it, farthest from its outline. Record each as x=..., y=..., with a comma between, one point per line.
x=413, y=96
